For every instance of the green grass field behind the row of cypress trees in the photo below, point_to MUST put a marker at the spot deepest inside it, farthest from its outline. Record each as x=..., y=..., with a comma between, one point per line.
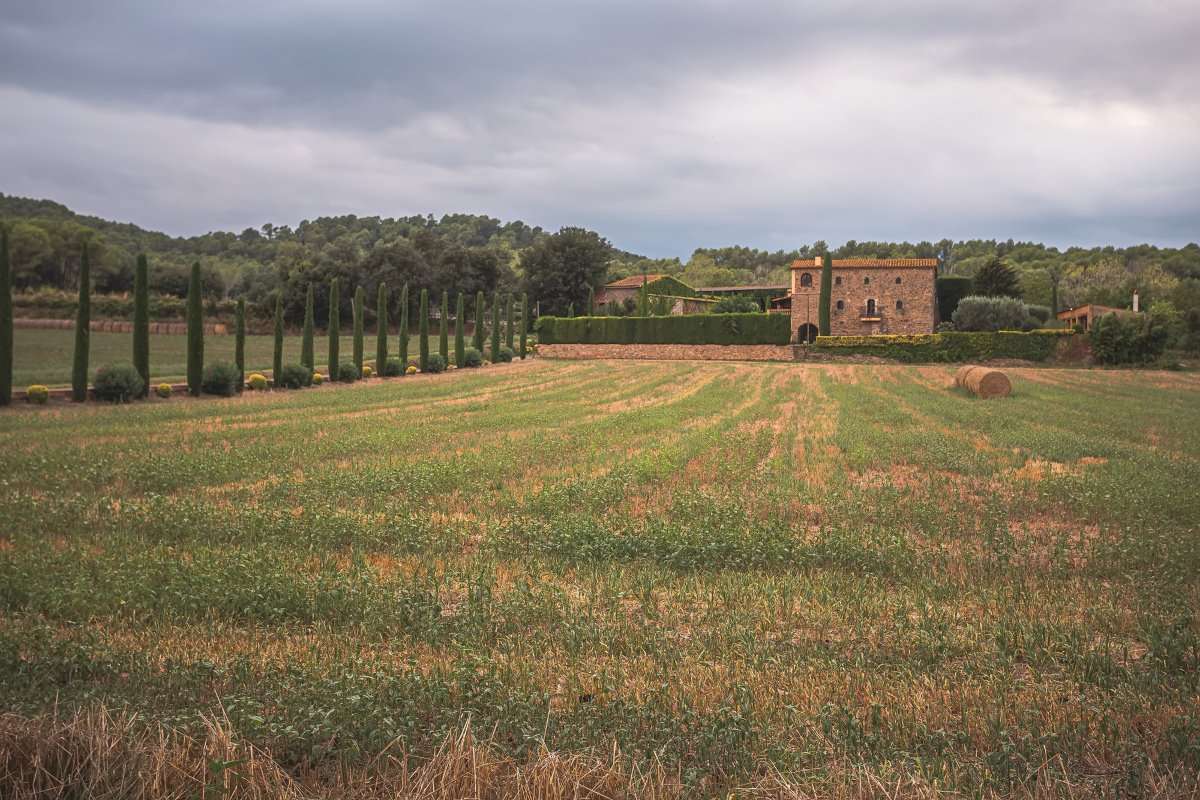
x=44, y=357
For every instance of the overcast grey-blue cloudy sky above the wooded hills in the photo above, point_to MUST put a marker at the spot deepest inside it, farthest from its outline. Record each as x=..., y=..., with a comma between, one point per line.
x=664, y=125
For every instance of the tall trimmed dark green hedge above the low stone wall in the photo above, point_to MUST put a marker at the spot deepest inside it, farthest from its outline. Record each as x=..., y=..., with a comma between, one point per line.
x=691, y=329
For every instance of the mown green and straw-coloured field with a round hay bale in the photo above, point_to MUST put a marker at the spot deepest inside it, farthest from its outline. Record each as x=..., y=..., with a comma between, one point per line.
x=645, y=580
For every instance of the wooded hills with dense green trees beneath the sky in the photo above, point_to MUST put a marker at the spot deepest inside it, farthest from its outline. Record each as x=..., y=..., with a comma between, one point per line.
x=469, y=254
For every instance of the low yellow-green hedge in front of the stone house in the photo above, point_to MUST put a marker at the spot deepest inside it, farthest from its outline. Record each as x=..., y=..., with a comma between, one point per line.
x=1034, y=346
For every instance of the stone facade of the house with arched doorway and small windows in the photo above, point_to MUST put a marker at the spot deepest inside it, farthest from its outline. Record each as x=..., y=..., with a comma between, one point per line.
x=896, y=296
